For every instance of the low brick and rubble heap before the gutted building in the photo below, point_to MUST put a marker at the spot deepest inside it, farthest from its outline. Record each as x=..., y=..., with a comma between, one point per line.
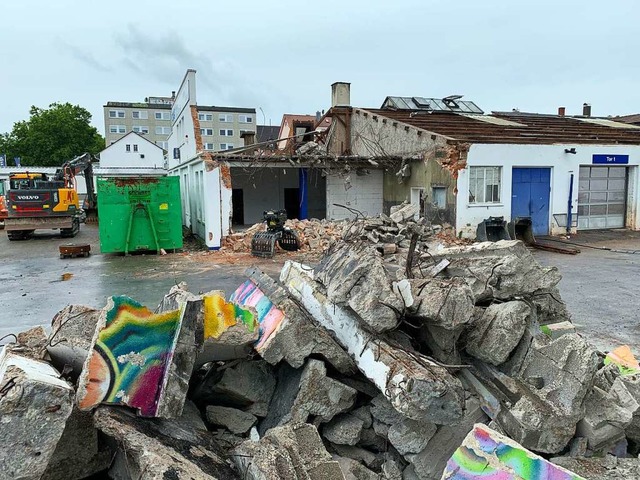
x=390, y=234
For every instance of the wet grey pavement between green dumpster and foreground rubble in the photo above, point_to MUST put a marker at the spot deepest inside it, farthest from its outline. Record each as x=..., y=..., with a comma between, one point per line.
x=32, y=290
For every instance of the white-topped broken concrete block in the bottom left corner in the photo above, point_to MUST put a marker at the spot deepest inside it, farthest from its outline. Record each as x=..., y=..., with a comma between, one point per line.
x=34, y=408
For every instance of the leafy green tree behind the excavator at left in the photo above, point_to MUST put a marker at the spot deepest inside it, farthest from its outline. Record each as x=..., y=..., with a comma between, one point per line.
x=52, y=136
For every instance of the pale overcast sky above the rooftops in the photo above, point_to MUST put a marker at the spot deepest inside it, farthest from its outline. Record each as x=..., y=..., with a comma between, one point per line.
x=283, y=56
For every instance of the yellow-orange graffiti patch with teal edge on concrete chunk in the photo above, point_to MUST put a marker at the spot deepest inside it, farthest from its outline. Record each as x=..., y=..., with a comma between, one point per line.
x=220, y=315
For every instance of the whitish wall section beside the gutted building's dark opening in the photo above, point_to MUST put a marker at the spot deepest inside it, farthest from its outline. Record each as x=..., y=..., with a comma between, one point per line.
x=361, y=192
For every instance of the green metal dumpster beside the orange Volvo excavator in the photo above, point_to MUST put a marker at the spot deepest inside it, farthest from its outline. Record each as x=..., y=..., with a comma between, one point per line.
x=139, y=214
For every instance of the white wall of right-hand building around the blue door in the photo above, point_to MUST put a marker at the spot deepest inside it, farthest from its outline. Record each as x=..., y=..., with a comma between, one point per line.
x=551, y=156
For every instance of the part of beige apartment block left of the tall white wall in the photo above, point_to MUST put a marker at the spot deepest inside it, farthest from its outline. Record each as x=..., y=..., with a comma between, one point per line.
x=151, y=118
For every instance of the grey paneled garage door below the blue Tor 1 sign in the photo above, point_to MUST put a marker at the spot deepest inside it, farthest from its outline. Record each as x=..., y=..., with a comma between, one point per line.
x=601, y=198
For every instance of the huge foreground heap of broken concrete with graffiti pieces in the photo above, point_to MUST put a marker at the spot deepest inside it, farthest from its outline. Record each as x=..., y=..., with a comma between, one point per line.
x=457, y=363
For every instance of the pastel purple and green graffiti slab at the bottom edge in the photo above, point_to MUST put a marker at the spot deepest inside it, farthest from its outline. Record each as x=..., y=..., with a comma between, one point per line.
x=485, y=454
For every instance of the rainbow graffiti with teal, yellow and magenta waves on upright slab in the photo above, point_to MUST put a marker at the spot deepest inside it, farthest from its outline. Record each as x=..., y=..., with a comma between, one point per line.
x=130, y=358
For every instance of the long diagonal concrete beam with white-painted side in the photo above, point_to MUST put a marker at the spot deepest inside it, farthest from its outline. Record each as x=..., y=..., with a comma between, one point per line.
x=417, y=387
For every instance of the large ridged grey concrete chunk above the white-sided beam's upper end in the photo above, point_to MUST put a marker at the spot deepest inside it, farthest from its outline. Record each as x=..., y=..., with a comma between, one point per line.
x=355, y=276
